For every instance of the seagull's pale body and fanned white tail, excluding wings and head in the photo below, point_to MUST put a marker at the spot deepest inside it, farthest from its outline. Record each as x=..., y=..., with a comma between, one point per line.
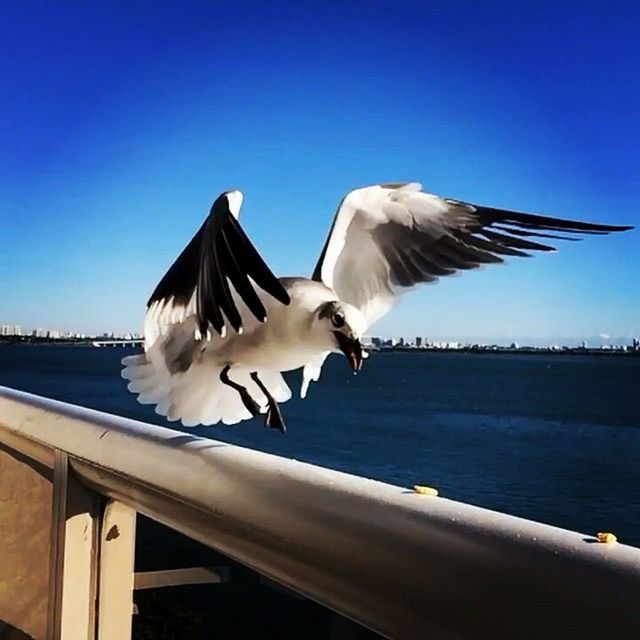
x=291, y=339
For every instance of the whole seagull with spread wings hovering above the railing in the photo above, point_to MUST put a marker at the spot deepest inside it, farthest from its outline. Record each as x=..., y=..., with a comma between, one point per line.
x=220, y=327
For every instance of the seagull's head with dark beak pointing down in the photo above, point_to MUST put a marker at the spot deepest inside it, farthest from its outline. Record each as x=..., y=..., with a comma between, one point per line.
x=345, y=324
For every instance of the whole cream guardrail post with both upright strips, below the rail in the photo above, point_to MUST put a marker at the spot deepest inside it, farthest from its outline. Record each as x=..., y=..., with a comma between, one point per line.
x=91, y=561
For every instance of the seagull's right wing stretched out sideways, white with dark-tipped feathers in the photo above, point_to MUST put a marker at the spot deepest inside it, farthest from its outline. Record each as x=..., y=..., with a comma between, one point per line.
x=386, y=238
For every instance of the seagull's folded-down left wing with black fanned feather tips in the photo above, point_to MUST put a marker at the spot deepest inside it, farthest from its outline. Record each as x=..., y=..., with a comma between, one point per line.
x=199, y=283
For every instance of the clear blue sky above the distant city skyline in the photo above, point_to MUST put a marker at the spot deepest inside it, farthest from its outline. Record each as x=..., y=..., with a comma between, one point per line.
x=121, y=121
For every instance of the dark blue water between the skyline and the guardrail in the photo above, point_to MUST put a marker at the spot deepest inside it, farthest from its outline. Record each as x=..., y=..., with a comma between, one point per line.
x=551, y=438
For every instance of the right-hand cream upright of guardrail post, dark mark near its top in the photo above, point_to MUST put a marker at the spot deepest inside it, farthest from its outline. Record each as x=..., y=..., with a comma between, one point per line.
x=115, y=594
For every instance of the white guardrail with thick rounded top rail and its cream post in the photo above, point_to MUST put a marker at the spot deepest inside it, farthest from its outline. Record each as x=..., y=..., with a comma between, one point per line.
x=403, y=564
